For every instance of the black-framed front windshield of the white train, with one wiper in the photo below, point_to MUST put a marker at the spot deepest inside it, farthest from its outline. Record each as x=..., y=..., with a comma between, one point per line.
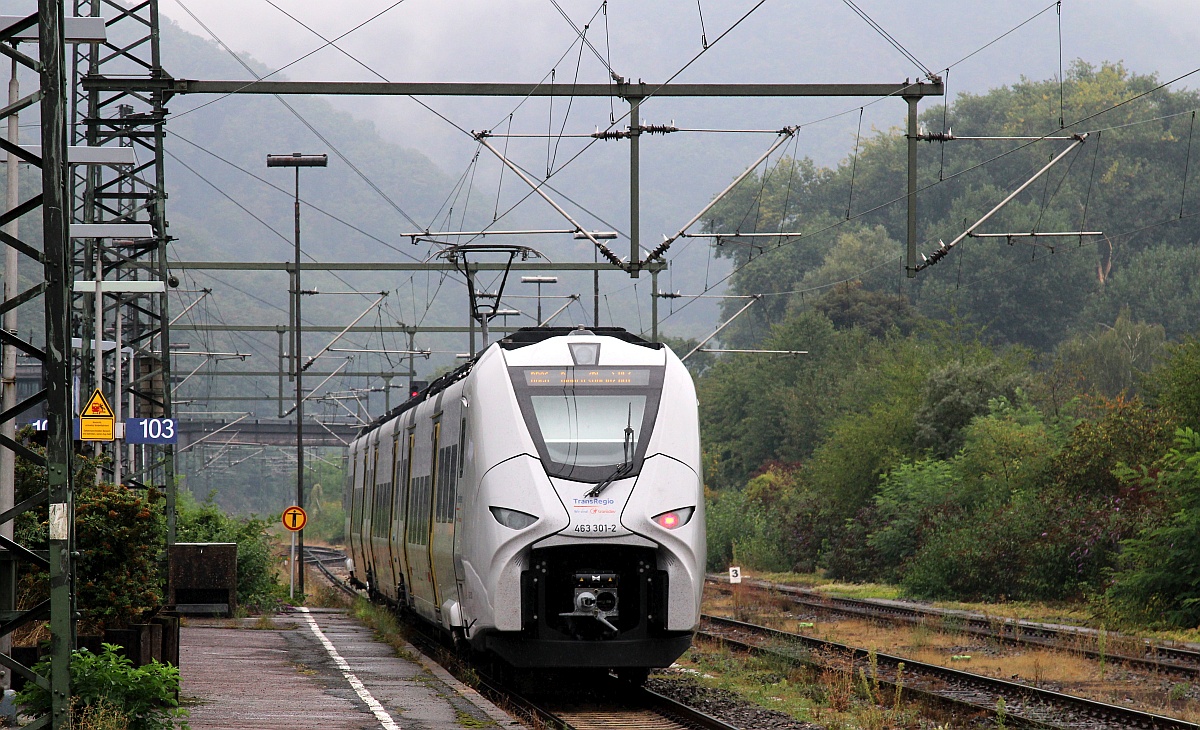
x=589, y=421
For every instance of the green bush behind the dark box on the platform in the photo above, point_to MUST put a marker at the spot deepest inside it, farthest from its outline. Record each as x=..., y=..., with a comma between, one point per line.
x=205, y=523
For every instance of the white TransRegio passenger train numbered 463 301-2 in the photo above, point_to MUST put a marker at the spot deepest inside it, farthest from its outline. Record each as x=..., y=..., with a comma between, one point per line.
x=543, y=504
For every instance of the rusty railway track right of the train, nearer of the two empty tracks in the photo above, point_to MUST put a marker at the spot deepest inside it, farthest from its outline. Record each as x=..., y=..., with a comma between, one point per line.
x=1023, y=705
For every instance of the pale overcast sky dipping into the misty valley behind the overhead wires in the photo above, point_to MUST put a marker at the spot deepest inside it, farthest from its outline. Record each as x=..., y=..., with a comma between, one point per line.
x=797, y=41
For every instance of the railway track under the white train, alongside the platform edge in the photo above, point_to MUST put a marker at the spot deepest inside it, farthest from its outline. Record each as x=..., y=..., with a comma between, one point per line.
x=638, y=709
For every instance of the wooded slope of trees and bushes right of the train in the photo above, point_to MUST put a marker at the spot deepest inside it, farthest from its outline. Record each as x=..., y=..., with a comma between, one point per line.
x=1016, y=423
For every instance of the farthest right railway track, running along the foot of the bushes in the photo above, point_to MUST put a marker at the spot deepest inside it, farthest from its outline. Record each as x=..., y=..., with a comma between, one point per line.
x=1132, y=651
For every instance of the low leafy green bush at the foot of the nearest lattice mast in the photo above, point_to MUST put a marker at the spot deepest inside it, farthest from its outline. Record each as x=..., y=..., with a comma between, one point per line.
x=146, y=696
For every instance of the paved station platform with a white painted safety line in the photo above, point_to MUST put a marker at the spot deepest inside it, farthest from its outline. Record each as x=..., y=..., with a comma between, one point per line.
x=317, y=669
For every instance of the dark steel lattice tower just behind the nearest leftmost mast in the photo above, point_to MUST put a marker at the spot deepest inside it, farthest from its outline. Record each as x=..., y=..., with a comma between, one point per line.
x=134, y=312
